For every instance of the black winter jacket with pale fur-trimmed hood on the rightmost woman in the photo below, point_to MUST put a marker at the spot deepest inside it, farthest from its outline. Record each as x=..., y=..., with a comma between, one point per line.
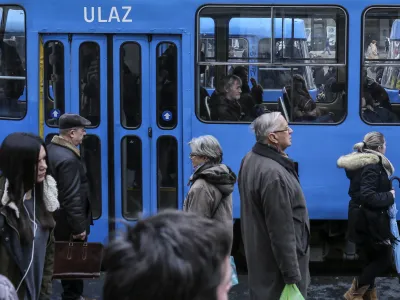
x=368, y=219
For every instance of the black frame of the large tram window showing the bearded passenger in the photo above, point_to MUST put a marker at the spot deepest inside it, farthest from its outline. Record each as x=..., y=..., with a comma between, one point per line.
x=338, y=14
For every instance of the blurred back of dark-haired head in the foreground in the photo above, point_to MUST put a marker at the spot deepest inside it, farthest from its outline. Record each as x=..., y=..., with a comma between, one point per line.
x=169, y=256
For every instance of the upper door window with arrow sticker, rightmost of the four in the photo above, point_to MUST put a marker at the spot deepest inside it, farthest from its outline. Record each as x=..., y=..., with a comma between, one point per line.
x=167, y=85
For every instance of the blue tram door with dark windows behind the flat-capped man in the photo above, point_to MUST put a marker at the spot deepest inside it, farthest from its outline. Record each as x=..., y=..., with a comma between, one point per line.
x=74, y=74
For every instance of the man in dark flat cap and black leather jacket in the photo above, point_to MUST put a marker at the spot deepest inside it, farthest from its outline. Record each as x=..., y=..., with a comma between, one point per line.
x=75, y=215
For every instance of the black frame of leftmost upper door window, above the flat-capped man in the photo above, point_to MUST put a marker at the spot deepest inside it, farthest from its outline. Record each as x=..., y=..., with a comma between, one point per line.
x=46, y=85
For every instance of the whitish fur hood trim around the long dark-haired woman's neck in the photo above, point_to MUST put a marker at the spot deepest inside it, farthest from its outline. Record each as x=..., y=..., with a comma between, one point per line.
x=50, y=196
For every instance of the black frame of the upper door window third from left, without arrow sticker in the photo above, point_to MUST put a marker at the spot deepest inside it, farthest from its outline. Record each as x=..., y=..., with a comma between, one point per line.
x=123, y=119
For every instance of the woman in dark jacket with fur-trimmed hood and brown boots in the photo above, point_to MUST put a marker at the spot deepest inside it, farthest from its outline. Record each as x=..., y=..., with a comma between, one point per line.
x=368, y=221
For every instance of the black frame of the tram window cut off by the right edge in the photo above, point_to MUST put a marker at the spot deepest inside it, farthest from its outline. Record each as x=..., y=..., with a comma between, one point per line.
x=367, y=63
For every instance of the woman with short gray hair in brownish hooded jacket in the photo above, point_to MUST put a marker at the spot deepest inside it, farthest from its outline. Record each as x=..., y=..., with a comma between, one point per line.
x=212, y=182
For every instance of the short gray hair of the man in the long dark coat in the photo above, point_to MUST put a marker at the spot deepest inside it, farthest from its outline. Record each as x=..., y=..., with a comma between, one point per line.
x=265, y=124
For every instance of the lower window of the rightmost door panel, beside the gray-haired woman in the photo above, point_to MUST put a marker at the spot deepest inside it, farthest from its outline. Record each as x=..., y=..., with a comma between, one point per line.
x=167, y=170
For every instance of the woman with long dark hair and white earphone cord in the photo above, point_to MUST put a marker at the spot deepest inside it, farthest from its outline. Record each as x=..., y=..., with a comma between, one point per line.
x=28, y=198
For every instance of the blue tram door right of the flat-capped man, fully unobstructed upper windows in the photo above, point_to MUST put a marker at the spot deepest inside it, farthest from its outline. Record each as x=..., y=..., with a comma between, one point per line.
x=148, y=125
